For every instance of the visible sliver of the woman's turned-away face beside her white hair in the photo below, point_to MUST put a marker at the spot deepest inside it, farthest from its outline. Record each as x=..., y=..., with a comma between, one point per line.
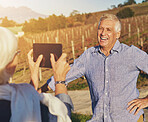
x=10, y=68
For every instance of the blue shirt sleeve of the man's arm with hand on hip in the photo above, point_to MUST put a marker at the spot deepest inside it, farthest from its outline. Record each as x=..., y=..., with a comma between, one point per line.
x=141, y=60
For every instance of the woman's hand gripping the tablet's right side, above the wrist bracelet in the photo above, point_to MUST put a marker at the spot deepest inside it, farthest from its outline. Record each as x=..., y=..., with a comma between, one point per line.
x=60, y=67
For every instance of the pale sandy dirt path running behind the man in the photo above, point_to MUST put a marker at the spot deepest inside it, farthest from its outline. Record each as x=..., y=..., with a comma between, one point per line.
x=82, y=102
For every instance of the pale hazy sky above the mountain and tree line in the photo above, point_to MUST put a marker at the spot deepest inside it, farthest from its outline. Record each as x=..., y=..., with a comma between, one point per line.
x=58, y=7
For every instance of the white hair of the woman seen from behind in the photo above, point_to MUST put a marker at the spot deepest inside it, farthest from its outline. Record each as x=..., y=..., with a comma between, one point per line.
x=8, y=47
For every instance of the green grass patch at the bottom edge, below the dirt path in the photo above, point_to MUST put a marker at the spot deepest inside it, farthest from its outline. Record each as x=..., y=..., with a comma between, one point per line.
x=80, y=117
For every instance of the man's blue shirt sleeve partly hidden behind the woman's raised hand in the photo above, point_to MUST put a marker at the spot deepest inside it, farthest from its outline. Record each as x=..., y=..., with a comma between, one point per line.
x=77, y=70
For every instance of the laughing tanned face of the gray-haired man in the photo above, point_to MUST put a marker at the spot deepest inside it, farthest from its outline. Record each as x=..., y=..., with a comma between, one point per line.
x=107, y=35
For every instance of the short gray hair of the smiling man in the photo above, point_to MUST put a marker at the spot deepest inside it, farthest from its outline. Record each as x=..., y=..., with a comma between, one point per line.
x=112, y=17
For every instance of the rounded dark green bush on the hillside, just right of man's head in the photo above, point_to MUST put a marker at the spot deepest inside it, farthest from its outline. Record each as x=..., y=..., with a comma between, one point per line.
x=125, y=13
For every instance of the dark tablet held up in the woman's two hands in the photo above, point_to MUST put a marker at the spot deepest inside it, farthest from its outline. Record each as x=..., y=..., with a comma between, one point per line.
x=45, y=49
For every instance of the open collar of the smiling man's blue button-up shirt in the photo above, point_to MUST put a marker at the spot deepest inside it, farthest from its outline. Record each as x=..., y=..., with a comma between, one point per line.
x=116, y=48
